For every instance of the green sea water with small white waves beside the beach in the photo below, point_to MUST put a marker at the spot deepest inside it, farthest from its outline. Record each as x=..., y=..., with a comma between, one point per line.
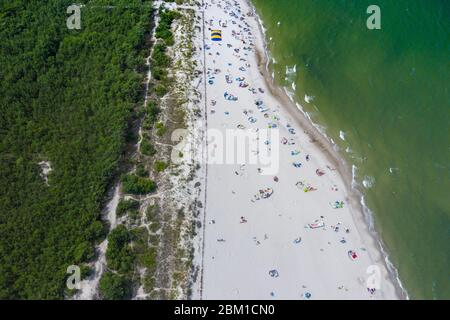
x=388, y=92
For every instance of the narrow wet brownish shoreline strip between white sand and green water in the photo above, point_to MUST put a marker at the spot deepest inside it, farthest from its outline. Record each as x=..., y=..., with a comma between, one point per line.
x=359, y=210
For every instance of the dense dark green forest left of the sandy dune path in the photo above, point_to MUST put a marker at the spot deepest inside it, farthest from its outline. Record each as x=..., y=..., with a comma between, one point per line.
x=67, y=97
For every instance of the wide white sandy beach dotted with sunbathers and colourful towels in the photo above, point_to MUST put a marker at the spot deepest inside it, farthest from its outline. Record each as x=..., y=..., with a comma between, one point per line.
x=297, y=233
